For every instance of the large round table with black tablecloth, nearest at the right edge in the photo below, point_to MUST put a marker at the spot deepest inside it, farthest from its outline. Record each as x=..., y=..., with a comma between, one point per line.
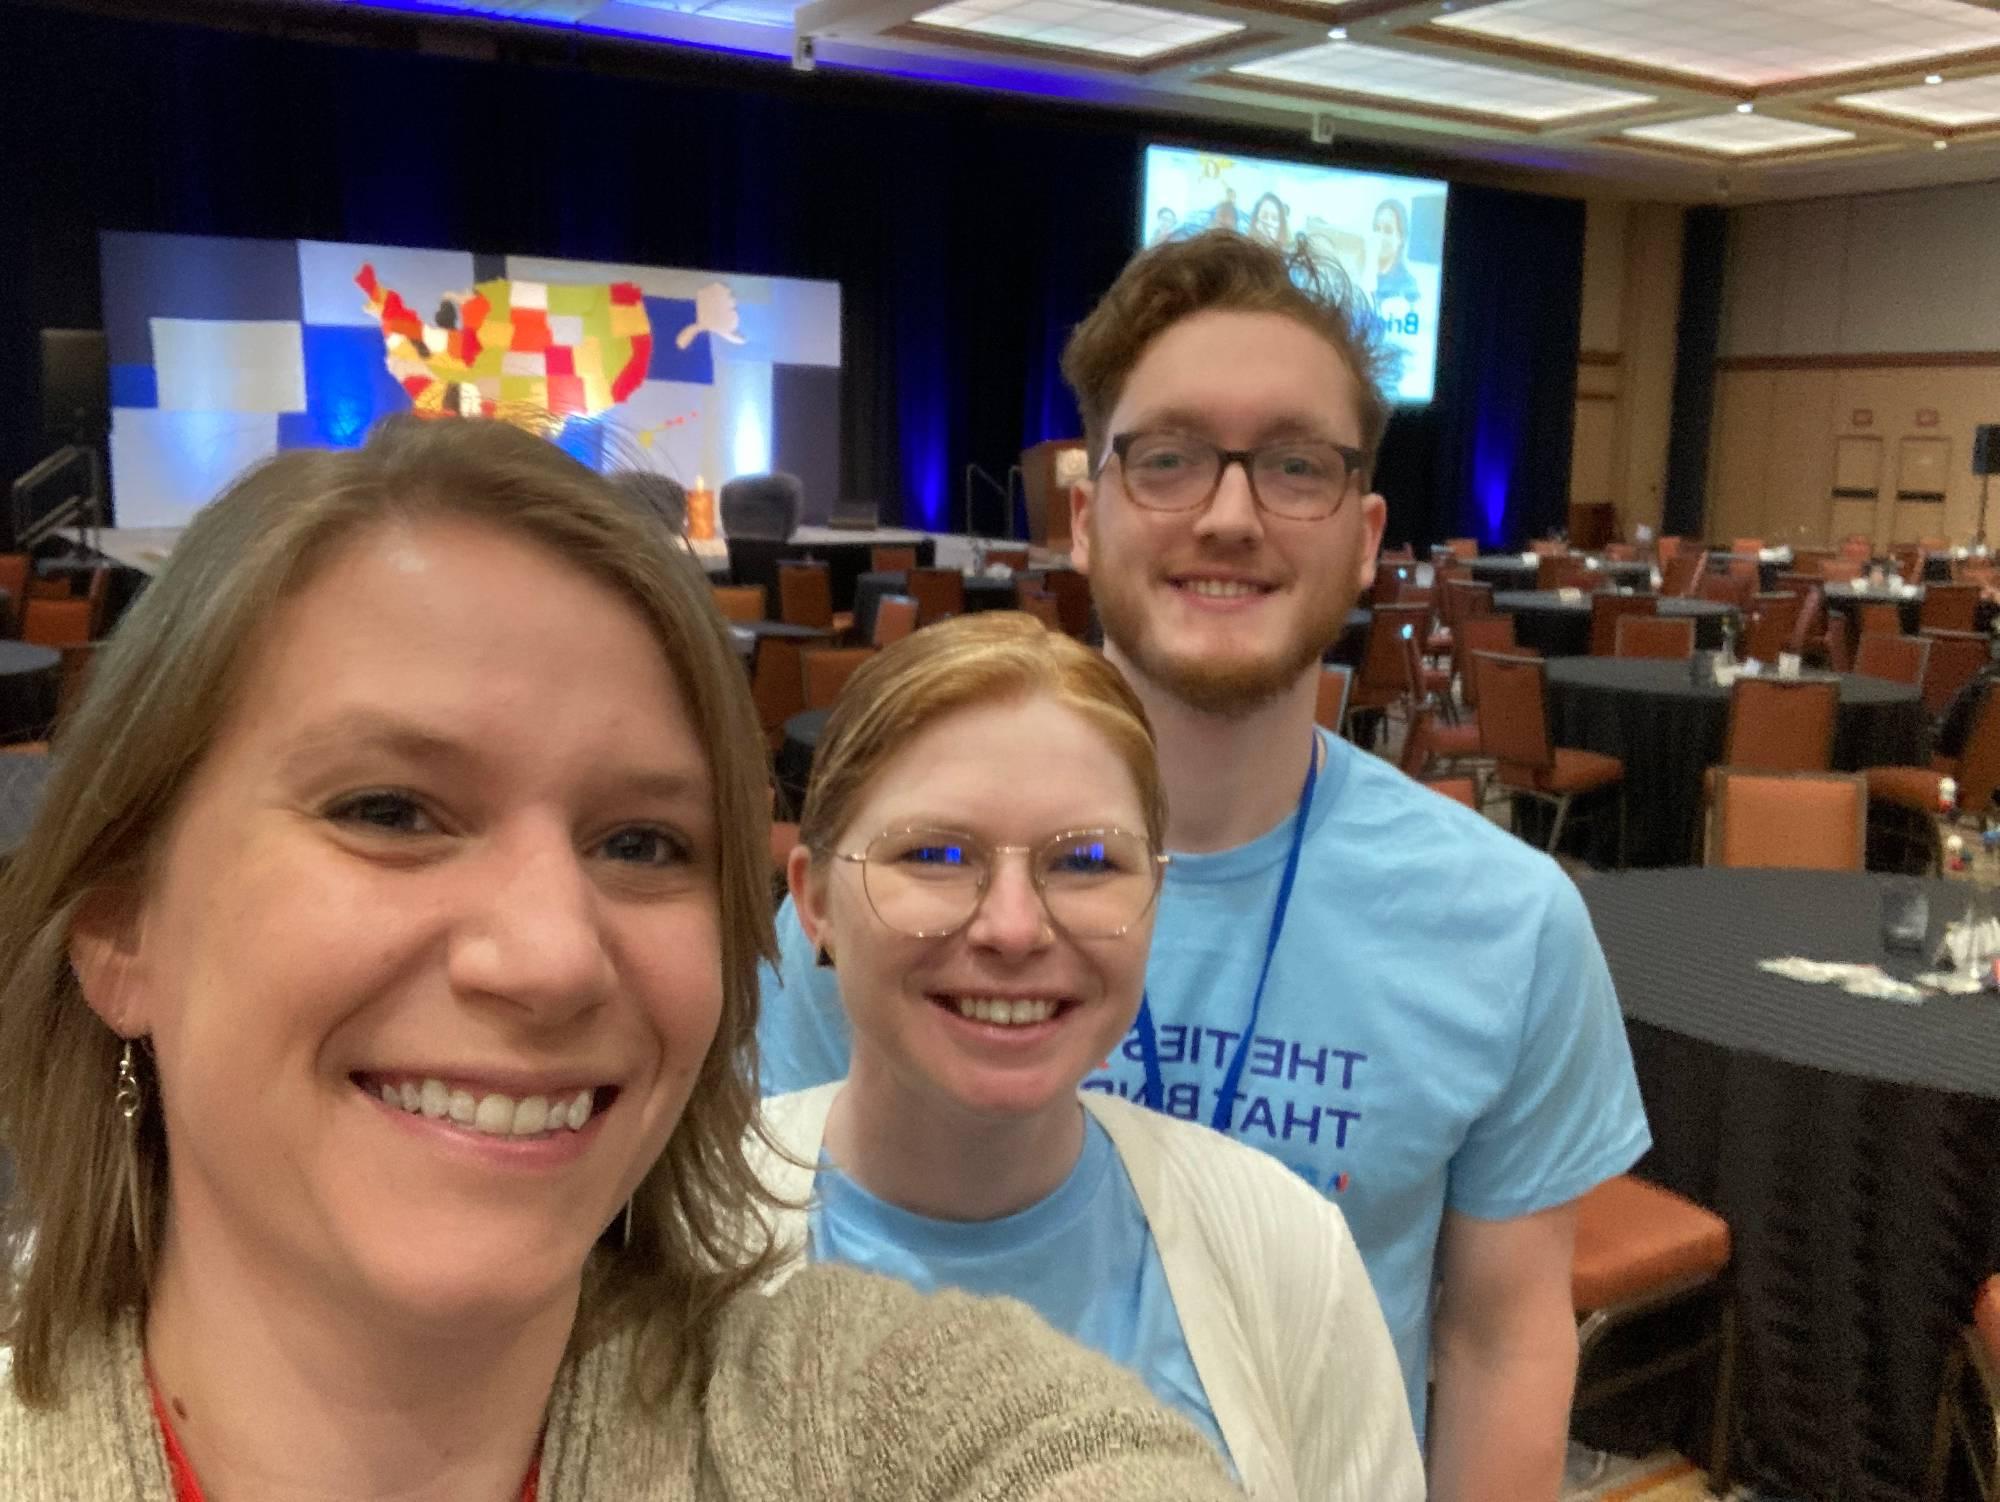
x=1849, y=1143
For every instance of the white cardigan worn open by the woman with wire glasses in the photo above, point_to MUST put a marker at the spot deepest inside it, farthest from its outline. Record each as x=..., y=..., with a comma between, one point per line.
x=1281, y=1321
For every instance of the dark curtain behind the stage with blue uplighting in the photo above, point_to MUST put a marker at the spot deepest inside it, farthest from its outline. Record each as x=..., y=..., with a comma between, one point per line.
x=969, y=233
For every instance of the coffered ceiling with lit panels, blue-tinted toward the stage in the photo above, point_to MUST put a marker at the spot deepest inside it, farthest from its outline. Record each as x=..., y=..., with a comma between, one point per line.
x=1691, y=99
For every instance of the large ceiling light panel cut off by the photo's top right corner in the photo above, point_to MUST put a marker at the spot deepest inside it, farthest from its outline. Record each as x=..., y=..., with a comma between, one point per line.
x=1749, y=43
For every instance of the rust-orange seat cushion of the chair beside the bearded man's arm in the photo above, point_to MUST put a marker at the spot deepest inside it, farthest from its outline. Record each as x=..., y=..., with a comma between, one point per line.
x=1633, y=1237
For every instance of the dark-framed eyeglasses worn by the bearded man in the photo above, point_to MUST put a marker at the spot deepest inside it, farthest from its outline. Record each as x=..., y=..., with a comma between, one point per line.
x=1301, y=479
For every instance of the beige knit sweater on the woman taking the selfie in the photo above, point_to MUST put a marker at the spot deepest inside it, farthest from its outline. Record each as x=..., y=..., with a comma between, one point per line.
x=837, y=1389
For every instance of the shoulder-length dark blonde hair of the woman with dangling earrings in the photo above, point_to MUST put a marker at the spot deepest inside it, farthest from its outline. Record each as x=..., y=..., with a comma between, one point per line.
x=157, y=701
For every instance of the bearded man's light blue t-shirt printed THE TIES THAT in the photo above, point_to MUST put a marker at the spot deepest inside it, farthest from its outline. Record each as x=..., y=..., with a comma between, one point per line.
x=1439, y=1029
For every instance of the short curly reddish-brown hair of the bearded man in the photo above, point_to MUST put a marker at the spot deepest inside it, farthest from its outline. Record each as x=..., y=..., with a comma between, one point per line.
x=1223, y=271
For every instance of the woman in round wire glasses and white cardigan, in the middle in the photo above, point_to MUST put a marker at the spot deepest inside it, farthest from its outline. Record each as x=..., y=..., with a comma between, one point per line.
x=979, y=861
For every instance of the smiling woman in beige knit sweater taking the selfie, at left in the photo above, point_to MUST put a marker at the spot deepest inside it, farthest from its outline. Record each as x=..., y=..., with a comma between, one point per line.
x=373, y=1047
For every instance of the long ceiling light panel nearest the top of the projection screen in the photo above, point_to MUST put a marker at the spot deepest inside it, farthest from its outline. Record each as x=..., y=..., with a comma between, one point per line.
x=1423, y=79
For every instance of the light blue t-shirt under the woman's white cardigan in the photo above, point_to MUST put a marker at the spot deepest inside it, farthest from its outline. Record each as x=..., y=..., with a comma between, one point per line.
x=1083, y=1259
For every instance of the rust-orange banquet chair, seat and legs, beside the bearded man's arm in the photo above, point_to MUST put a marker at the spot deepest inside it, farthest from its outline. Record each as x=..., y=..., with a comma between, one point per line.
x=1643, y=1251
